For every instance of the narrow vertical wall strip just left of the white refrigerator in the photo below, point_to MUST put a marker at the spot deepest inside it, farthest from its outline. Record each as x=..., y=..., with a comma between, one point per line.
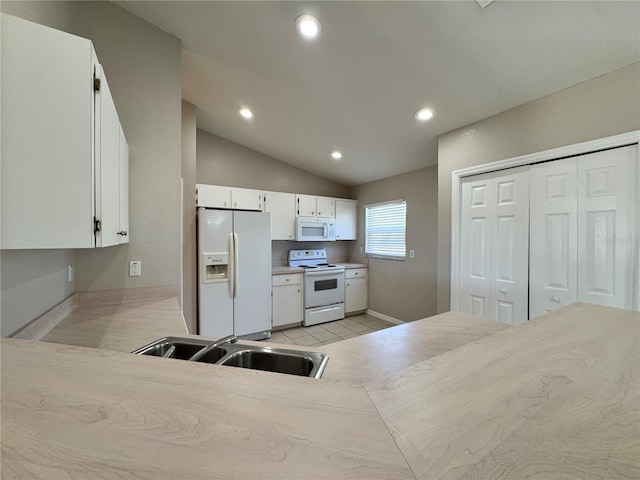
x=189, y=252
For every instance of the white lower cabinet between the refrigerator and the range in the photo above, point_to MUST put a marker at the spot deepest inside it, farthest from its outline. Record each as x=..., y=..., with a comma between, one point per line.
x=287, y=304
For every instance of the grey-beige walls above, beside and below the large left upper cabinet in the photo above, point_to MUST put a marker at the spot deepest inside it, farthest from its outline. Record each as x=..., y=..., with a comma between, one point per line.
x=142, y=64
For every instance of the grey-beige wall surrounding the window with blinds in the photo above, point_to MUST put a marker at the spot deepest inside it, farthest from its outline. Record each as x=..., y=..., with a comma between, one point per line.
x=405, y=290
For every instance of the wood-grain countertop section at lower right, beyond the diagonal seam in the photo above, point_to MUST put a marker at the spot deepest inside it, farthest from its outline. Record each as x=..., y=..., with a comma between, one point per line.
x=557, y=397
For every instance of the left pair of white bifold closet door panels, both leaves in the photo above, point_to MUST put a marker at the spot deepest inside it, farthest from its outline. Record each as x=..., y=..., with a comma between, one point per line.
x=494, y=233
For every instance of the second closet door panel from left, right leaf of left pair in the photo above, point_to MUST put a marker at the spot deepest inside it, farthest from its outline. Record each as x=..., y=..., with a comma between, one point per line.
x=510, y=247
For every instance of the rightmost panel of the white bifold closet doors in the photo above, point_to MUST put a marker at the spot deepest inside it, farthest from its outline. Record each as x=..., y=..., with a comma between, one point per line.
x=606, y=227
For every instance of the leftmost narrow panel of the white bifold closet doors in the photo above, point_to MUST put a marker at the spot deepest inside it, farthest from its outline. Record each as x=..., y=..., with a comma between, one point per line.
x=475, y=278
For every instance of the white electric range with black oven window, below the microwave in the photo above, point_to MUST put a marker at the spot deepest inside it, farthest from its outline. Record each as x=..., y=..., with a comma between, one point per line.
x=323, y=286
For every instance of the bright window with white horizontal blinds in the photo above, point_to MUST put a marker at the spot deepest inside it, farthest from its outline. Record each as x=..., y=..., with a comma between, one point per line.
x=385, y=227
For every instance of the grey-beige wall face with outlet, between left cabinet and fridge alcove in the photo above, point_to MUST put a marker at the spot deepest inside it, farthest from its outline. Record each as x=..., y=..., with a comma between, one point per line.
x=142, y=64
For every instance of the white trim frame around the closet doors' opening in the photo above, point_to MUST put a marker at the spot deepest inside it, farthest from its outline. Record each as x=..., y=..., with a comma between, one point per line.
x=620, y=140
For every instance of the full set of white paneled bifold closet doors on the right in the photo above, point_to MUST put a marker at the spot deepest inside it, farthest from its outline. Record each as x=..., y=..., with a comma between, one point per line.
x=539, y=237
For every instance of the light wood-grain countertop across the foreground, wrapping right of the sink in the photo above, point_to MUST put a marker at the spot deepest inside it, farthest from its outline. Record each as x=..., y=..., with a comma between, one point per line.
x=557, y=397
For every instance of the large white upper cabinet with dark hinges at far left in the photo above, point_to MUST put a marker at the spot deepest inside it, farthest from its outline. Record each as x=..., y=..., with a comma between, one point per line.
x=62, y=146
